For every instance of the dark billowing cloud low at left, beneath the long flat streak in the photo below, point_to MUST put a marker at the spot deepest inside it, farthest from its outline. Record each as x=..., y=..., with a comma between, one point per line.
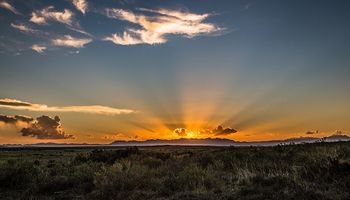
x=46, y=127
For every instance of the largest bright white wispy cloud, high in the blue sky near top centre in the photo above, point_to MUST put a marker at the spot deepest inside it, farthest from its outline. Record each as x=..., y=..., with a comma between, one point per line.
x=155, y=28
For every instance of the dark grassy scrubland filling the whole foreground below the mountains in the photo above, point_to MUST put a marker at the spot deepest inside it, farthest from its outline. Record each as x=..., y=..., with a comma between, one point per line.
x=313, y=171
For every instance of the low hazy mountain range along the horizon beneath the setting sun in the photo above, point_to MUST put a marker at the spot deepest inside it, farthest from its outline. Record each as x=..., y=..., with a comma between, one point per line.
x=194, y=142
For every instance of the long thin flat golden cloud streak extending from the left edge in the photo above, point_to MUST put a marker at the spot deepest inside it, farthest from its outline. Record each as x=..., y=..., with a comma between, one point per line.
x=94, y=109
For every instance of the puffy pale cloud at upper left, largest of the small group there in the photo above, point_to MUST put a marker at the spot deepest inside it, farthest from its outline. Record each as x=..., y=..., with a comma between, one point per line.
x=48, y=14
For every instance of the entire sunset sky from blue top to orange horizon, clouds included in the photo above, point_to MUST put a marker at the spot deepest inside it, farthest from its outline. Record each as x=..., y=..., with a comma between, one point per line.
x=96, y=71
